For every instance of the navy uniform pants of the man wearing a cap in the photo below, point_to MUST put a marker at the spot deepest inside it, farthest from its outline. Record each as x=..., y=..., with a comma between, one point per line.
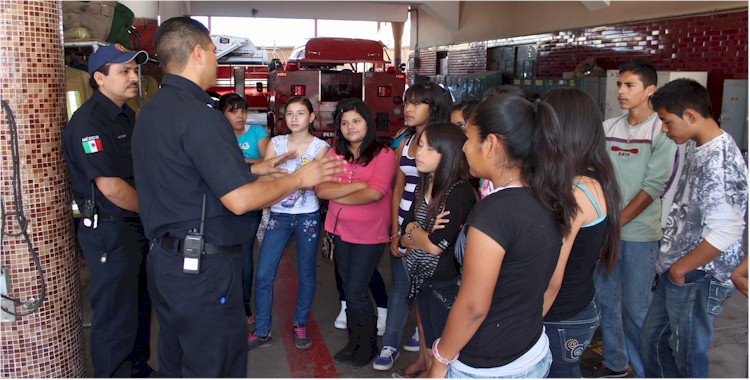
x=114, y=252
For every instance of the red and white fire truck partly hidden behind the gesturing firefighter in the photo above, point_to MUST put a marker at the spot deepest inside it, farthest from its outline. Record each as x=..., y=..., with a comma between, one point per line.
x=243, y=68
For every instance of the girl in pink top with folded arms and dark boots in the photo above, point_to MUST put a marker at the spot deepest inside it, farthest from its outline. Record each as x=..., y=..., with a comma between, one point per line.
x=359, y=218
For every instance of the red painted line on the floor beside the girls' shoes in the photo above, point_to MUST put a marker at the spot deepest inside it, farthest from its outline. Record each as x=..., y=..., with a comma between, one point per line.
x=316, y=361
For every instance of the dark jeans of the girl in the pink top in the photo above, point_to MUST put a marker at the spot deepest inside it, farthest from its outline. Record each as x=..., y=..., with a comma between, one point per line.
x=355, y=263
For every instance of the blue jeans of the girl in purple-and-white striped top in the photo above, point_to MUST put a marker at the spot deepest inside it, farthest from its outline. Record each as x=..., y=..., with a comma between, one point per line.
x=398, y=306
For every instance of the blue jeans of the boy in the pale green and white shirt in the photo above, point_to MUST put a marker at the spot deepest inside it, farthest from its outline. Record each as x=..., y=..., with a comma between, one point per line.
x=631, y=280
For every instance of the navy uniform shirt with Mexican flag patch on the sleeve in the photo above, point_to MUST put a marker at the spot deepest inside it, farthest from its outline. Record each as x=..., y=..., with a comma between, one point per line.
x=96, y=143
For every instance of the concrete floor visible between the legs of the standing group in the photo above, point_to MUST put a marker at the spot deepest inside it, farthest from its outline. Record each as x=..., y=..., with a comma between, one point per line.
x=728, y=354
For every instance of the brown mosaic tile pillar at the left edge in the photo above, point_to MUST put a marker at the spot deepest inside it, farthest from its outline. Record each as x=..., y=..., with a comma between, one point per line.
x=48, y=343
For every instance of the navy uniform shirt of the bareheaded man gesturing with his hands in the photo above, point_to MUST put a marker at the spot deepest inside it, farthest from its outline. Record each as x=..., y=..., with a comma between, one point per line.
x=182, y=149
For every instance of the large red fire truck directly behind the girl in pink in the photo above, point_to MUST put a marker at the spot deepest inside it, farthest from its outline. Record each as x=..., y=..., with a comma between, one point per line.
x=327, y=70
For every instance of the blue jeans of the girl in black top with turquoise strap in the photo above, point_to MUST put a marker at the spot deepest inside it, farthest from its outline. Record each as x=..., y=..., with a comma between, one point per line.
x=569, y=338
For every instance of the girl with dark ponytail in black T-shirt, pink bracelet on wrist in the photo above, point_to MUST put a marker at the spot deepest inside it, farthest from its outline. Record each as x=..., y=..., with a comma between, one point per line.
x=513, y=241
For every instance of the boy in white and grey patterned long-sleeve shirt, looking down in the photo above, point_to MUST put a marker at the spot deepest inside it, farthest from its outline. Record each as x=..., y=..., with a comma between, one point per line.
x=702, y=243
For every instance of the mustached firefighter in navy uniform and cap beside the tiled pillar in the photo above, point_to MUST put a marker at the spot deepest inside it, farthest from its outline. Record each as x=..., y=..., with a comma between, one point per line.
x=96, y=144
